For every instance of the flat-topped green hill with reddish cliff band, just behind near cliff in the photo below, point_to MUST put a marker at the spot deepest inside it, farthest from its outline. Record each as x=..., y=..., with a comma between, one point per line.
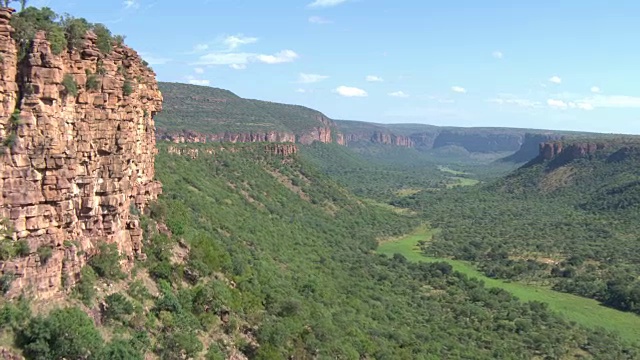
x=203, y=114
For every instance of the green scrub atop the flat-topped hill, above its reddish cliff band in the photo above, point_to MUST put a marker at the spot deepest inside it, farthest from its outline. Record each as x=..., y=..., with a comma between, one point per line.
x=210, y=110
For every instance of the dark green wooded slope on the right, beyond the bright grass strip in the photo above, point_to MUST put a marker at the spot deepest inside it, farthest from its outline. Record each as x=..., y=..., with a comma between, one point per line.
x=570, y=223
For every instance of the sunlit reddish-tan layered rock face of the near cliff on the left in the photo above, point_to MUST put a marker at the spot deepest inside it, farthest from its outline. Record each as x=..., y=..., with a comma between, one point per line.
x=79, y=161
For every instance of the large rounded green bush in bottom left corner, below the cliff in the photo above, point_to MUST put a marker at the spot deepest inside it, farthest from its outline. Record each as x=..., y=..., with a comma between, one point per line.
x=64, y=334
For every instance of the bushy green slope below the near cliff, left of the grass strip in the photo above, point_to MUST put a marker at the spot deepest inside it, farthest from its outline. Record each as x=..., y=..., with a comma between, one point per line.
x=266, y=249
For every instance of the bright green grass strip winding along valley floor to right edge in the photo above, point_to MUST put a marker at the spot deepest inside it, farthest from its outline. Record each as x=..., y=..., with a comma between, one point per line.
x=586, y=312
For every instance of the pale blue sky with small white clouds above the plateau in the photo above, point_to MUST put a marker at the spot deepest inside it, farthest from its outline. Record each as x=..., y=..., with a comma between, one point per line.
x=554, y=64
